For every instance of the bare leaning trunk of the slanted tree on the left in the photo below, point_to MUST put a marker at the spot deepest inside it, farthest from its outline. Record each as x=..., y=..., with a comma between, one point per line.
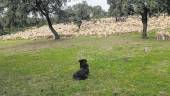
x=56, y=35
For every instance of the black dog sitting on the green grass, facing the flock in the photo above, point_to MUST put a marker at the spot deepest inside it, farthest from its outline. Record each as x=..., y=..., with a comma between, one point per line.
x=83, y=73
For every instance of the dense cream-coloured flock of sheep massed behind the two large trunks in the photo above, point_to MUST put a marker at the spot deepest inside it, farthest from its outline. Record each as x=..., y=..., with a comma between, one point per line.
x=102, y=27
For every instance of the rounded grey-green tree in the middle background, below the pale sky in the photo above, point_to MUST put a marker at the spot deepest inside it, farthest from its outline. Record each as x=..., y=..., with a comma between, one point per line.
x=82, y=11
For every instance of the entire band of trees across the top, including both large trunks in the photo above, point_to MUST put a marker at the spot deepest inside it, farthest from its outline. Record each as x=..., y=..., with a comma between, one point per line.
x=25, y=13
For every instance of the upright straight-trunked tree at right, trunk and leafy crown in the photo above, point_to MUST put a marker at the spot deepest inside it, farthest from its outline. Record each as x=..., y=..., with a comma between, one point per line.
x=146, y=8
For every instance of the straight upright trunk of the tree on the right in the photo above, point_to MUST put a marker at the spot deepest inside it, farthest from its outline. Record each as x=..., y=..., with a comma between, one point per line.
x=145, y=23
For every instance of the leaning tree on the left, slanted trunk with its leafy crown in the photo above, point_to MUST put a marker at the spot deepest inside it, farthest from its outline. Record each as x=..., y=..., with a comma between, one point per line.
x=46, y=8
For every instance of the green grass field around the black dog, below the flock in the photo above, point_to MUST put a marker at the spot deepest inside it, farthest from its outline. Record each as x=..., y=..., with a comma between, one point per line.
x=119, y=66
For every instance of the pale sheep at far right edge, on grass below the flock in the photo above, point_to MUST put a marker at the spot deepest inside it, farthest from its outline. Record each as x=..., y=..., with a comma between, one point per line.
x=162, y=35
